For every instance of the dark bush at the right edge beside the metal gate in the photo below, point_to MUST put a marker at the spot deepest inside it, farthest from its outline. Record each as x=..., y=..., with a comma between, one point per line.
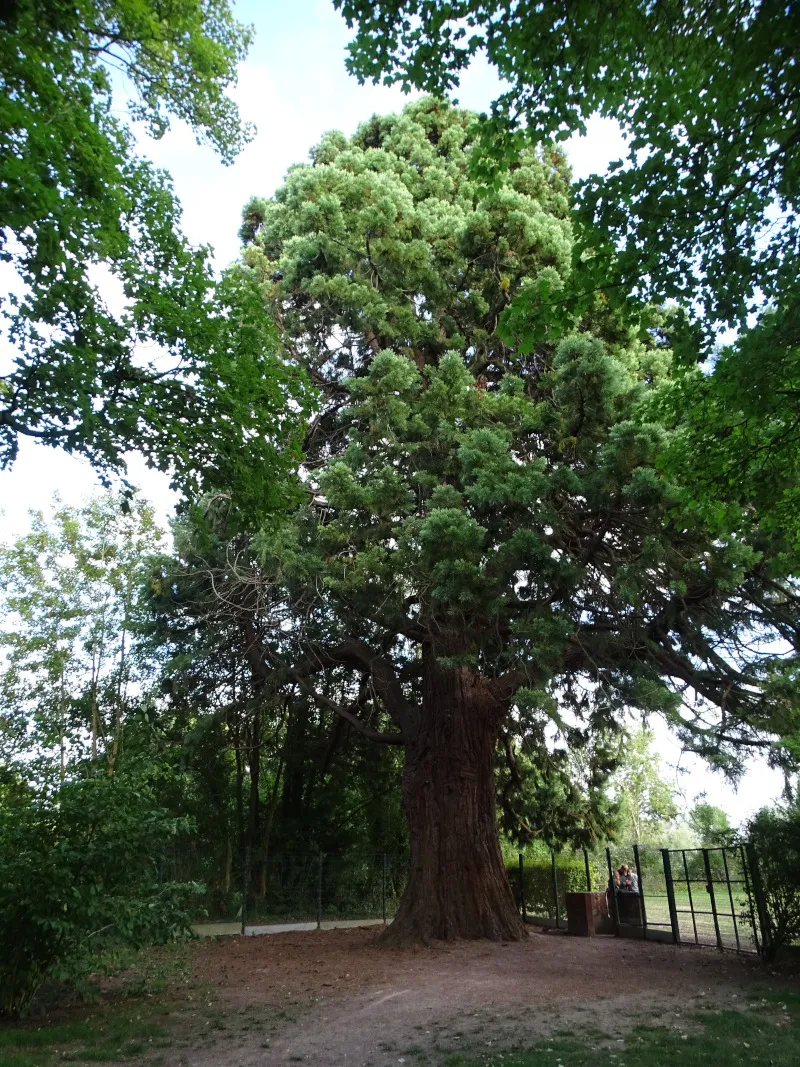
x=775, y=834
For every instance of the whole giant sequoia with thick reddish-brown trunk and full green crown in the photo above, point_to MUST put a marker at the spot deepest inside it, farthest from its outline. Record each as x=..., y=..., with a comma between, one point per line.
x=488, y=538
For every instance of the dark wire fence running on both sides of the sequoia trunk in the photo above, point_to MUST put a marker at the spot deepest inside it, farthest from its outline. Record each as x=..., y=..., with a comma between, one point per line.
x=707, y=897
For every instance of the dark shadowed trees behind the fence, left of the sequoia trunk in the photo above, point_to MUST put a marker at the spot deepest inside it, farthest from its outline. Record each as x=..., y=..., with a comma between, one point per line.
x=274, y=774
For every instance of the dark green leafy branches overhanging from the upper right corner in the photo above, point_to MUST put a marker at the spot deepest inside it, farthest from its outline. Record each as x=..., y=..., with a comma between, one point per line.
x=703, y=211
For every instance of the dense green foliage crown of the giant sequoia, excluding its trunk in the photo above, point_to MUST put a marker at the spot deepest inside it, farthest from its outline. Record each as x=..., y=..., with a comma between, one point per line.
x=515, y=500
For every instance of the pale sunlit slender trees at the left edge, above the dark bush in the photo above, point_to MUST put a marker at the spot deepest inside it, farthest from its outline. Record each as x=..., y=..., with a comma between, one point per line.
x=68, y=600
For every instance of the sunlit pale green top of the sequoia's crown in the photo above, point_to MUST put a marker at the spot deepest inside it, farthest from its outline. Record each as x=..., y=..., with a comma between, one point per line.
x=387, y=234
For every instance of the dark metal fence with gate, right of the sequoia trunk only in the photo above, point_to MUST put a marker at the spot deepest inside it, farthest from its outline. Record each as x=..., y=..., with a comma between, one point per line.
x=708, y=897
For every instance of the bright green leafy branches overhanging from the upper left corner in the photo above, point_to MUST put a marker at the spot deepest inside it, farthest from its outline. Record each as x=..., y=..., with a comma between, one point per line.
x=185, y=370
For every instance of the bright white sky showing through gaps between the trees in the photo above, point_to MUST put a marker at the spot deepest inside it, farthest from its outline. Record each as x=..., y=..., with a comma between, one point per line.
x=295, y=88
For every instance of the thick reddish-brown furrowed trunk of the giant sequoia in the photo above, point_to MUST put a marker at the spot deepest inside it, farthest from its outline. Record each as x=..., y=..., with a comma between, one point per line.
x=458, y=886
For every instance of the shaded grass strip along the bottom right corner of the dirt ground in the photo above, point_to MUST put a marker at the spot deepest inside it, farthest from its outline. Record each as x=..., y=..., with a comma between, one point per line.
x=764, y=1033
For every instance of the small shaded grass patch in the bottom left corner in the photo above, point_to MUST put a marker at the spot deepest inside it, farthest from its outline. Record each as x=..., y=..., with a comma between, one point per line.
x=98, y=1040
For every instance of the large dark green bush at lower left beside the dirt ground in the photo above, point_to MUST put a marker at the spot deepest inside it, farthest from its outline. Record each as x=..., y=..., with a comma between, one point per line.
x=81, y=872
